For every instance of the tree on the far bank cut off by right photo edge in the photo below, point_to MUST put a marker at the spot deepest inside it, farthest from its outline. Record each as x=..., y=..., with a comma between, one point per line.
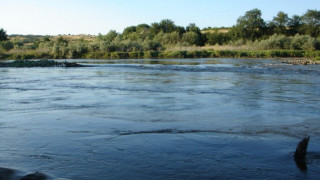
x=311, y=21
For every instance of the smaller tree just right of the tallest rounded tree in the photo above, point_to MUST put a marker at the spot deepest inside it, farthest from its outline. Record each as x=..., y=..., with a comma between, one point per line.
x=280, y=23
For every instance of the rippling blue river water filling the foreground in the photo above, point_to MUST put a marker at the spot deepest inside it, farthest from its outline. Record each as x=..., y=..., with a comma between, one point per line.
x=161, y=119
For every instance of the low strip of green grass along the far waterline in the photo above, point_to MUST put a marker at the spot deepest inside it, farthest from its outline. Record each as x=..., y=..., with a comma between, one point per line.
x=172, y=54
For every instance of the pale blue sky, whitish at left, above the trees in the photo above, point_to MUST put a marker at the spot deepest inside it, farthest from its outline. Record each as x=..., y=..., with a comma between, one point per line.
x=53, y=17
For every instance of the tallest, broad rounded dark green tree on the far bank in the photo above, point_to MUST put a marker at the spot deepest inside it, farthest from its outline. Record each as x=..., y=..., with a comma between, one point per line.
x=251, y=26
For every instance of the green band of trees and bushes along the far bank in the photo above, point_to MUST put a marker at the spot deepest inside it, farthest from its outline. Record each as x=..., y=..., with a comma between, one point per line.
x=252, y=33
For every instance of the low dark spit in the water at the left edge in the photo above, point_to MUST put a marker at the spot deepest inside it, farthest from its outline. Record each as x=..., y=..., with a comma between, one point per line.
x=38, y=63
